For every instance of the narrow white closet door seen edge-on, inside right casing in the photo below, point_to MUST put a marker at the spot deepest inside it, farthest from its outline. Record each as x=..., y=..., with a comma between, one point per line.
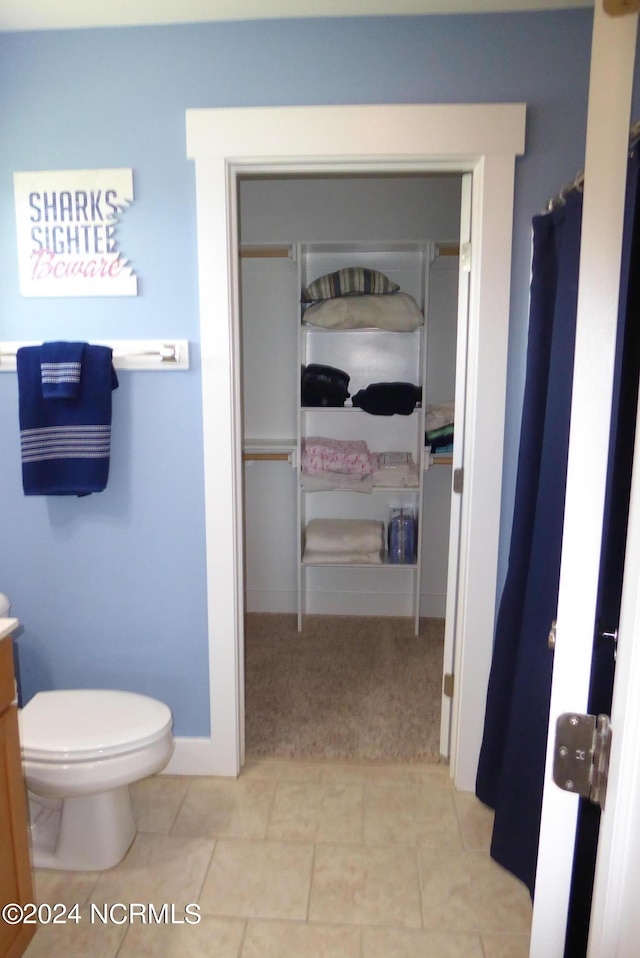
x=464, y=276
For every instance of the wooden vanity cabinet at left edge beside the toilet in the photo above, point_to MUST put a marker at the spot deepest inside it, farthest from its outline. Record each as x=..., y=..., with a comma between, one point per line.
x=16, y=883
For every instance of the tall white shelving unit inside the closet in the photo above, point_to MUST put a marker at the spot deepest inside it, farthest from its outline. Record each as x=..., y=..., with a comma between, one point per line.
x=367, y=356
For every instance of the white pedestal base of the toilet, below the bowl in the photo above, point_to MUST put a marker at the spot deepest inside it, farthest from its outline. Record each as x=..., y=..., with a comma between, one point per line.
x=85, y=833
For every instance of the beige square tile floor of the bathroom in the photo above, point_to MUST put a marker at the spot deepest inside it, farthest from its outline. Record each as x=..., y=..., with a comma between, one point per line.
x=298, y=860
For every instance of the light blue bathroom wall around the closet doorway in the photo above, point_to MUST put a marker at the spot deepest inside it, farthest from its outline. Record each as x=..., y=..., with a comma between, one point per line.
x=111, y=588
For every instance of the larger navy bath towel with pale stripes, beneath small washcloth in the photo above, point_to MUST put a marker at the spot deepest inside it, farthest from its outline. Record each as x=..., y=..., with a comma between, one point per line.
x=65, y=442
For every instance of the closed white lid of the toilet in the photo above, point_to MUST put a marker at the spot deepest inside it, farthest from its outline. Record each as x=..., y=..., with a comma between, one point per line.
x=80, y=723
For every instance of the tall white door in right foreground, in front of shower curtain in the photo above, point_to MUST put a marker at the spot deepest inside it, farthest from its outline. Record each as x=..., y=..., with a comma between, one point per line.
x=612, y=63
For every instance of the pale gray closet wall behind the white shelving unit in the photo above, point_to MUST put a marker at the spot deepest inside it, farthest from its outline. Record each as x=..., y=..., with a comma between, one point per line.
x=283, y=211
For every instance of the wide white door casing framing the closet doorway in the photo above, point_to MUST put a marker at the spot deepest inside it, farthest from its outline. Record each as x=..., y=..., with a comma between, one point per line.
x=225, y=143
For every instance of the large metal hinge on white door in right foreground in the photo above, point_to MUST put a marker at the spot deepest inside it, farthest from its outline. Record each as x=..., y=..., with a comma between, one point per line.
x=581, y=755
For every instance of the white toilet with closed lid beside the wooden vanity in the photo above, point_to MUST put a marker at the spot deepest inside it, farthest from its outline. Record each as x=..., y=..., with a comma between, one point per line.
x=81, y=750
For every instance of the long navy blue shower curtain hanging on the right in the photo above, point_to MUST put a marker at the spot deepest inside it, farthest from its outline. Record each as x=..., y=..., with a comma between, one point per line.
x=512, y=759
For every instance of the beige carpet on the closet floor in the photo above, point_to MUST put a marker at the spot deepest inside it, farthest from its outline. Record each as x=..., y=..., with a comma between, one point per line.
x=346, y=687
